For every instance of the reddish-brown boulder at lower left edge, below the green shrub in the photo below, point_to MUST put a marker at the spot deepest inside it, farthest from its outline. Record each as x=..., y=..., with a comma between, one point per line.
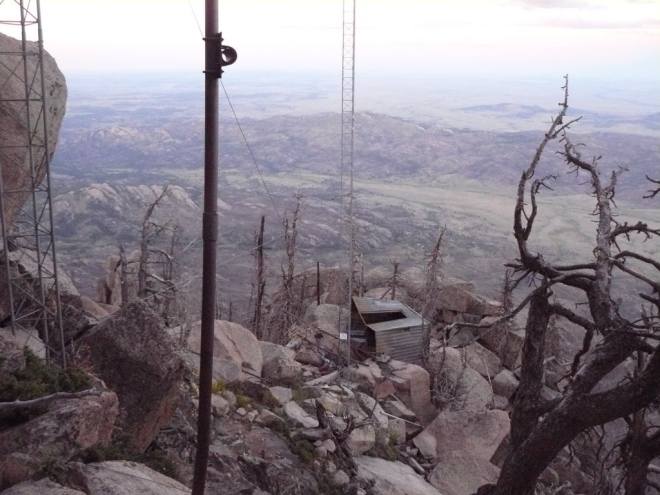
x=62, y=432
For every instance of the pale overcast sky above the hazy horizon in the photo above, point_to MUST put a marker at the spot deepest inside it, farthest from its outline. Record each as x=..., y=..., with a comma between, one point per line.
x=599, y=38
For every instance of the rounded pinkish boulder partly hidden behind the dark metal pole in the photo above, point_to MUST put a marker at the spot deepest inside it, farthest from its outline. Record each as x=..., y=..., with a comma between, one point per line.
x=237, y=352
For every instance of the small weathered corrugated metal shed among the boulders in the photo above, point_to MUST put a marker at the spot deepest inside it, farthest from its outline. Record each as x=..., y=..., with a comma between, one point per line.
x=387, y=327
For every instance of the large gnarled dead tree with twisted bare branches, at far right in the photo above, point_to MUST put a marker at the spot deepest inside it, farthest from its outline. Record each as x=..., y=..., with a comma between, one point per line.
x=541, y=428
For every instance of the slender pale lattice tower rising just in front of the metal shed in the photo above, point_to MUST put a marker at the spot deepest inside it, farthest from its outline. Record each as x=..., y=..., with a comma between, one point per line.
x=348, y=142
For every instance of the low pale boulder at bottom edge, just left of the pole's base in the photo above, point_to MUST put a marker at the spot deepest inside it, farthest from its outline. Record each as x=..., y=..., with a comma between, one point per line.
x=122, y=478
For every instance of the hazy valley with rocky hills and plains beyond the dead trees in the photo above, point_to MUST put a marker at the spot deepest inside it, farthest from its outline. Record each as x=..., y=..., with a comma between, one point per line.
x=412, y=177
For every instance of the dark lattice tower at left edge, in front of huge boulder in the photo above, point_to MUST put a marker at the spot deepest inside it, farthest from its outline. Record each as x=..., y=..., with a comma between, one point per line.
x=31, y=293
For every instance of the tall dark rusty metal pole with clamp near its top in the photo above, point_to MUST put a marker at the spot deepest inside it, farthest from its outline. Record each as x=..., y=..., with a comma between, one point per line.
x=210, y=236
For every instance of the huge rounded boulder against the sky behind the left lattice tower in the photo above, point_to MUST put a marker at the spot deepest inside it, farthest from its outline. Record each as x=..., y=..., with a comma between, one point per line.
x=14, y=160
